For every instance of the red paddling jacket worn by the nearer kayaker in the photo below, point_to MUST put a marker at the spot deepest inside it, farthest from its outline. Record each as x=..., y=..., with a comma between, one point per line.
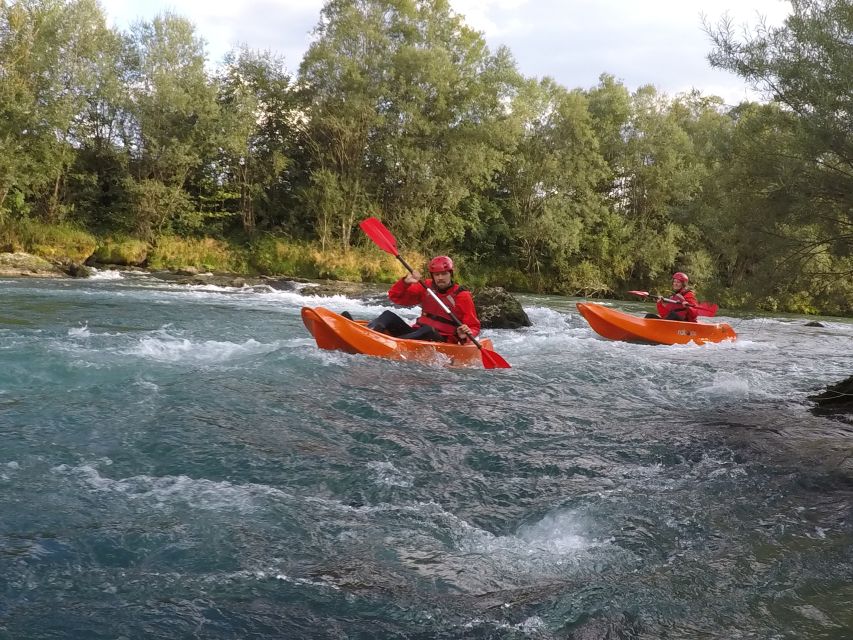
x=458, y=300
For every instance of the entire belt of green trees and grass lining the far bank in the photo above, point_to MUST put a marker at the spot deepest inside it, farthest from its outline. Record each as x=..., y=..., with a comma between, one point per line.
x=400, y=110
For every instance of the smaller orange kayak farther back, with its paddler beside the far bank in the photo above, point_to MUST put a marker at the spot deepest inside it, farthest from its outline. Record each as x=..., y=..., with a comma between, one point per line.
x=617, y=325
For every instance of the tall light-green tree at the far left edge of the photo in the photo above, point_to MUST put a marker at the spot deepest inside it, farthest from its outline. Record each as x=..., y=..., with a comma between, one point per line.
x=50, y=53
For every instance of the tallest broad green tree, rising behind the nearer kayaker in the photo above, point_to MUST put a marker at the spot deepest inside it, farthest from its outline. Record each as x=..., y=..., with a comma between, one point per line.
x=404, y=112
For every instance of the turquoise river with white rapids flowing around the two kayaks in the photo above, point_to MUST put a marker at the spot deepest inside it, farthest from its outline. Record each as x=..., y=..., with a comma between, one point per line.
x=183, y=462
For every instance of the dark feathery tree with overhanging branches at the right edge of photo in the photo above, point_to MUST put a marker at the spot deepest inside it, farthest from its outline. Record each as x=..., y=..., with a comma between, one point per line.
x=806, y=68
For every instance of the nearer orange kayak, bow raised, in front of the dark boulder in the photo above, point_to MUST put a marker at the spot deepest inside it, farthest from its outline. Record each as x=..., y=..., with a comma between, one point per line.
x=333, y=332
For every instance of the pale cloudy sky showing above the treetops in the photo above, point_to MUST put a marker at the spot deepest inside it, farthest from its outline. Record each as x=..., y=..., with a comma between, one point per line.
x=658, y=42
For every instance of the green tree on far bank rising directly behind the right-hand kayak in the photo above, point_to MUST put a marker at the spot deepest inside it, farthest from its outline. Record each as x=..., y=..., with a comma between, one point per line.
x=654, y=177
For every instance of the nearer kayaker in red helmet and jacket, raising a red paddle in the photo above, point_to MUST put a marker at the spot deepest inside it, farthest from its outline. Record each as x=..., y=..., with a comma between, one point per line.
x=434, y=324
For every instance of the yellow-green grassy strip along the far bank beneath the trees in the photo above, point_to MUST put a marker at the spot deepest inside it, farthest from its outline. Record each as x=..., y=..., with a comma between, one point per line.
x=276, y=256
